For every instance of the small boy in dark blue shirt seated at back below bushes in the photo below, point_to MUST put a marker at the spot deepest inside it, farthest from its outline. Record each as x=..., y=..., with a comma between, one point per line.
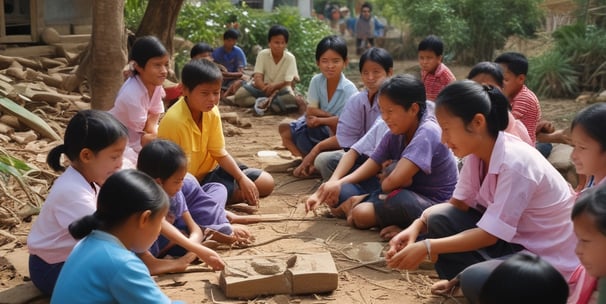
x=233, y=59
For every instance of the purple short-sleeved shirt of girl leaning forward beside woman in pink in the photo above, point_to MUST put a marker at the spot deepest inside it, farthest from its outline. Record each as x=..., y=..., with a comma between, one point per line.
x=438, y=168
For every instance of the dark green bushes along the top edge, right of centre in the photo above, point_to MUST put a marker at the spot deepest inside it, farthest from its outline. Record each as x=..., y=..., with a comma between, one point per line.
x=471, y=29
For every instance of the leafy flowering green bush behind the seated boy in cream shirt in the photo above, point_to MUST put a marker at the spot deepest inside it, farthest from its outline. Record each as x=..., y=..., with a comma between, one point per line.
x=207, y=23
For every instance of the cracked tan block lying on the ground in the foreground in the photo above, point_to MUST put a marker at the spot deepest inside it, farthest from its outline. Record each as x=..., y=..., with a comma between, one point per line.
x=252, y=276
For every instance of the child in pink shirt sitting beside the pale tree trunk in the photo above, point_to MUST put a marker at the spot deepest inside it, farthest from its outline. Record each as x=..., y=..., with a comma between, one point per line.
x=139, y=102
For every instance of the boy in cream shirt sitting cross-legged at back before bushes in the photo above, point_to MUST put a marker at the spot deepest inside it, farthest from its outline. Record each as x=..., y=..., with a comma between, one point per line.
x=274, y=76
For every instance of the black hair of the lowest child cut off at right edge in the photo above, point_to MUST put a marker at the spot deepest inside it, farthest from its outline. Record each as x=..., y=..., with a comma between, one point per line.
x=591, y=201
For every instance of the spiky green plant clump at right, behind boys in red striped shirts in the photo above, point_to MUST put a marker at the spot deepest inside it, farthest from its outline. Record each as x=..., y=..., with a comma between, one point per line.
x=553, y=75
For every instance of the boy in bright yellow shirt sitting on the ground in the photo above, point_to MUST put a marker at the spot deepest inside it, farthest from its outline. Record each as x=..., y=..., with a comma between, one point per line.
x=194, y=123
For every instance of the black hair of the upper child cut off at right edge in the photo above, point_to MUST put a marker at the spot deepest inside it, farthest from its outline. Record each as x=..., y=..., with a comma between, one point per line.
x=592, y=120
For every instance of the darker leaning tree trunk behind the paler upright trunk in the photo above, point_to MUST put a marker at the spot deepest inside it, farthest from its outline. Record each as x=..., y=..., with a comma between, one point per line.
x=160, y=20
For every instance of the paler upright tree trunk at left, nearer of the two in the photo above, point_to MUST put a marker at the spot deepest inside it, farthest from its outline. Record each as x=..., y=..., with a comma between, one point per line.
x=106, y=56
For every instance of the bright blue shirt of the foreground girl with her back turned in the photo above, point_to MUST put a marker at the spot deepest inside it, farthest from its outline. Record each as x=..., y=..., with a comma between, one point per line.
x=101, y=270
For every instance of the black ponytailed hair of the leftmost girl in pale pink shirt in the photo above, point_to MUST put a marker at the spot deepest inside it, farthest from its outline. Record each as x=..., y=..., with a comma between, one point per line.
x=88, y=129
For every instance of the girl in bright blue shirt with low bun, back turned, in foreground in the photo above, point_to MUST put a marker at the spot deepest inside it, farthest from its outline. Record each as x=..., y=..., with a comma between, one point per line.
x=103, y=268
